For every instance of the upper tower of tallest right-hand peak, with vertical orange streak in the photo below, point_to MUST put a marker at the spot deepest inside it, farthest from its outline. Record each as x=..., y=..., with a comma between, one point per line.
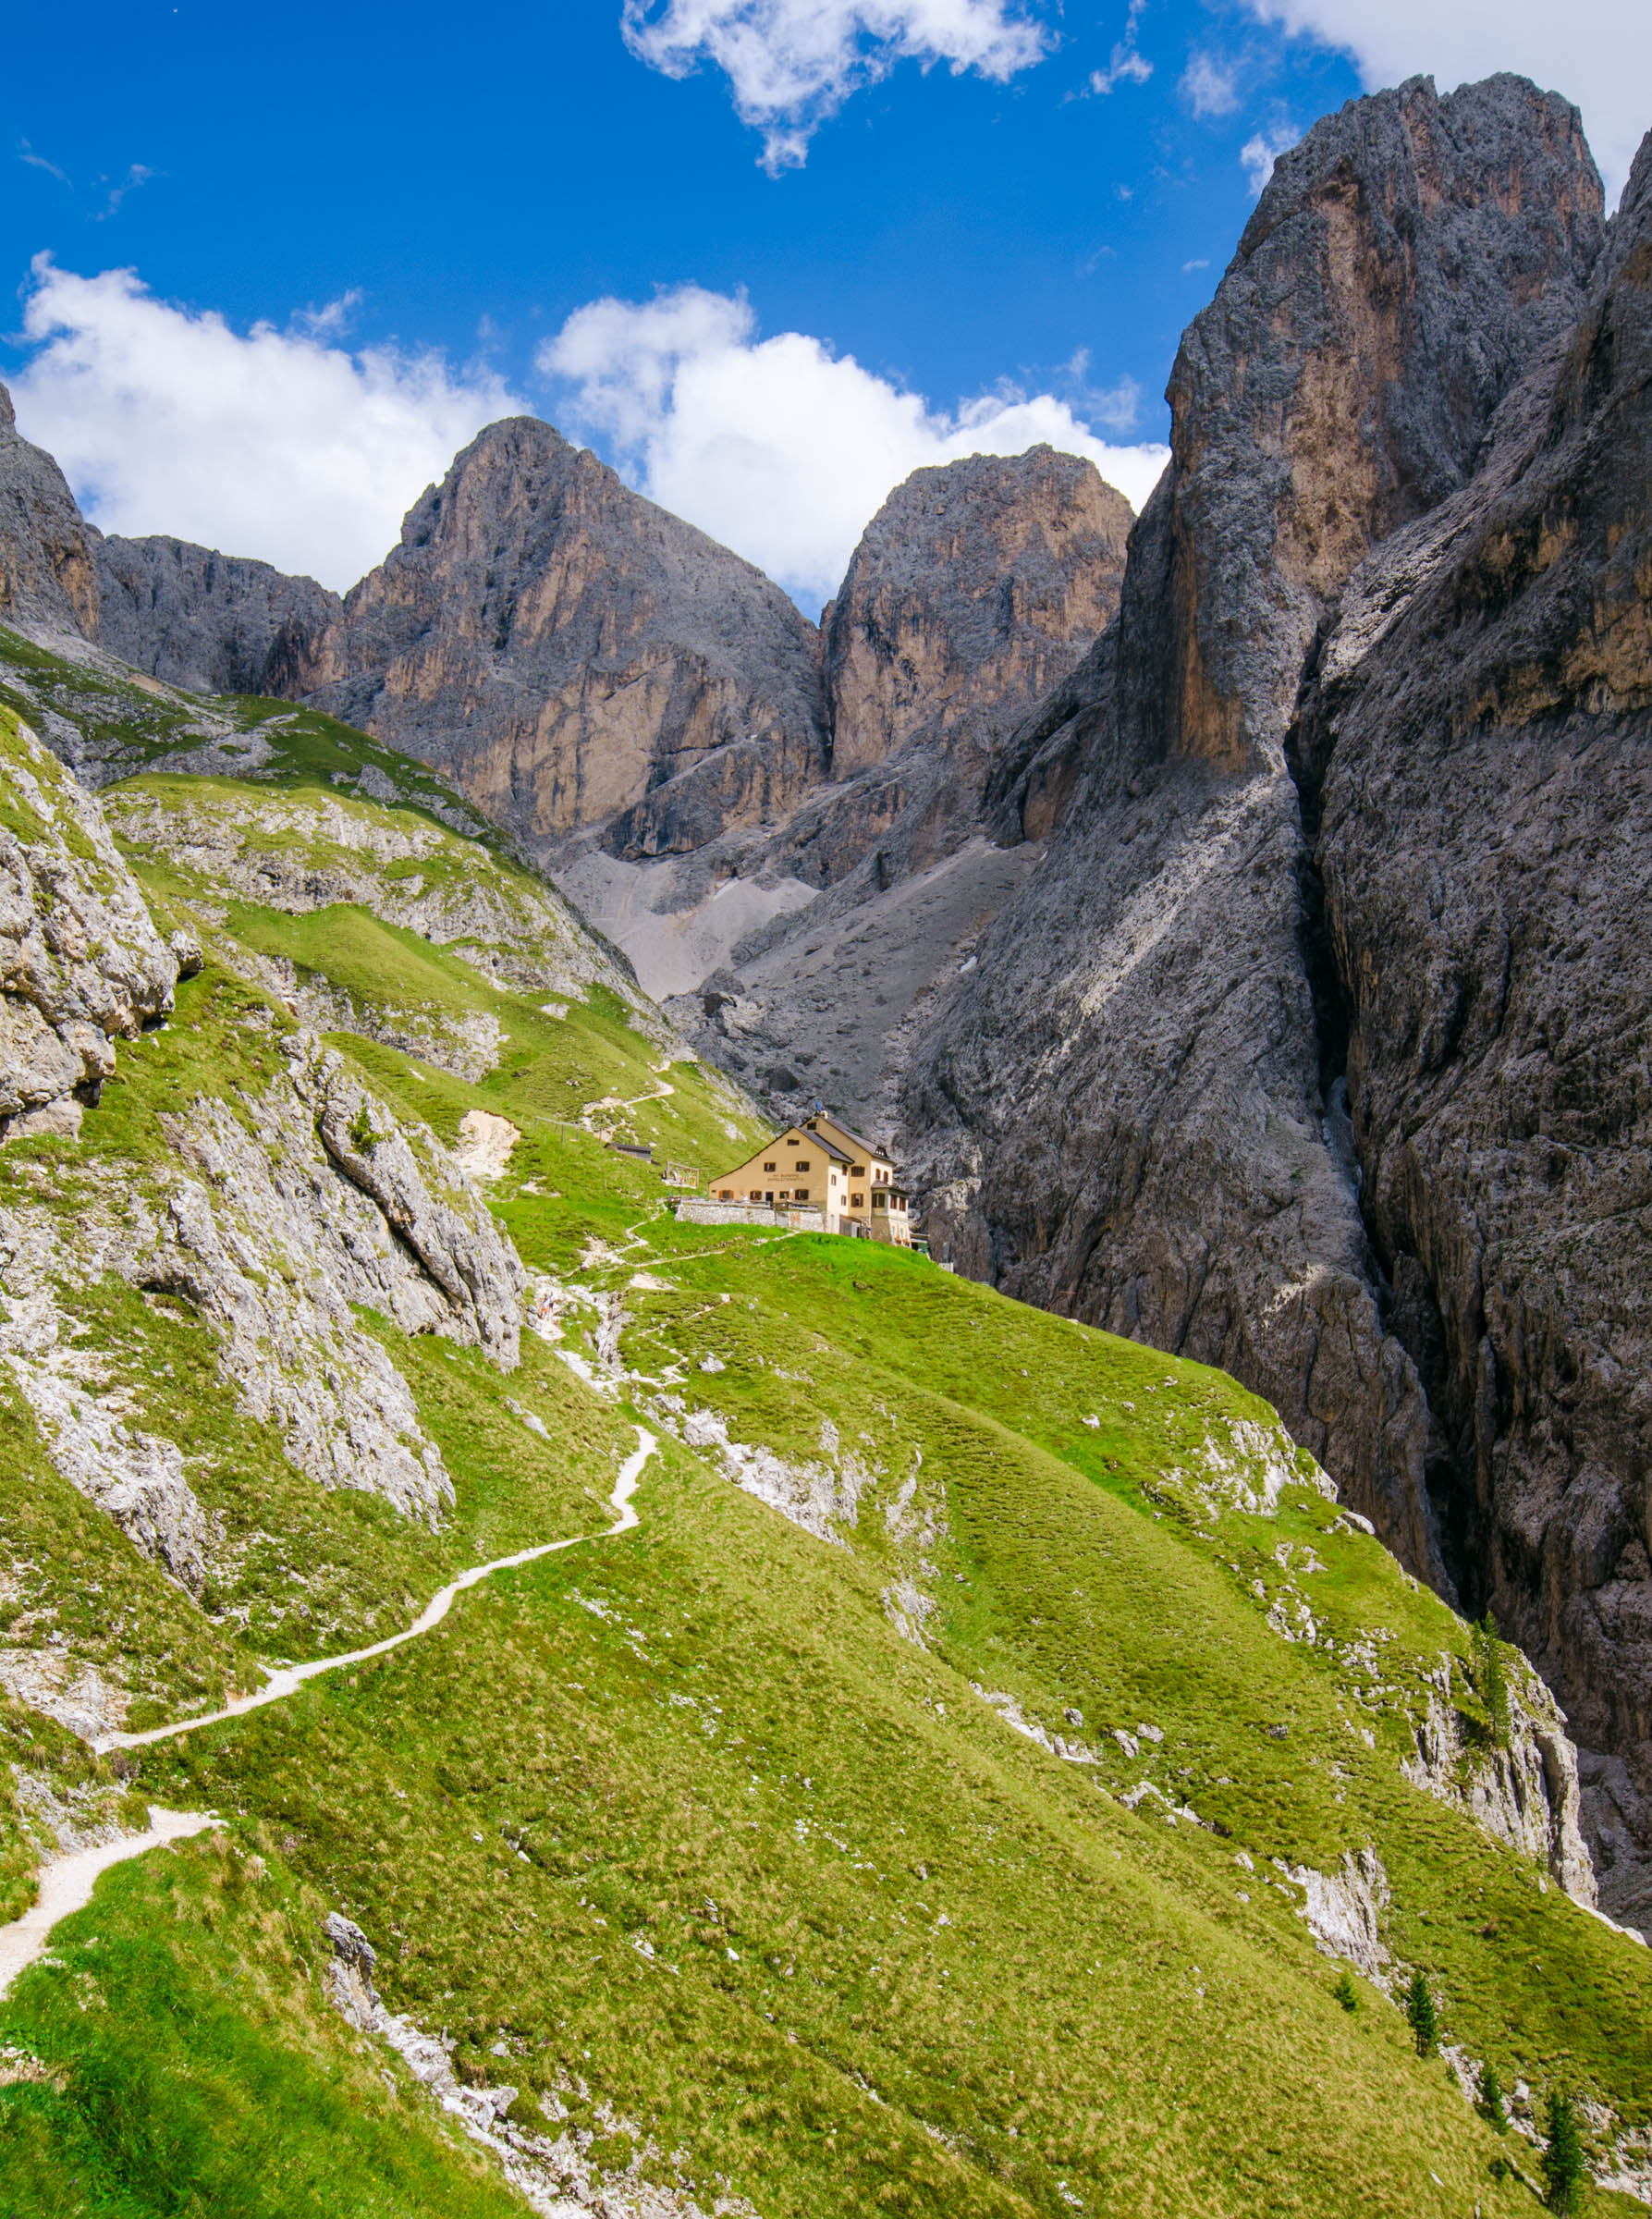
x=1398, y=272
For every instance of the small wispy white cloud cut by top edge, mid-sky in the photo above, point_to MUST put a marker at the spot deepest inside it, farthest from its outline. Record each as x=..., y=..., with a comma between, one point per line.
x=793, y=63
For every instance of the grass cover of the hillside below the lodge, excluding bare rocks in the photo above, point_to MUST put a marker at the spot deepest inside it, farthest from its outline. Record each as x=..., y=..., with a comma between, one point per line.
x=686, y=1825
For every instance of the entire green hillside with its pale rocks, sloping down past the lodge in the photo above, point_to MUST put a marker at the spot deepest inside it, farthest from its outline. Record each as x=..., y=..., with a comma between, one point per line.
x=990, y=1774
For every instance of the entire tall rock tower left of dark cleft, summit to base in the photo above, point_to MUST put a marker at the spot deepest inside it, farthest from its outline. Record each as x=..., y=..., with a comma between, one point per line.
x=1130, y=1108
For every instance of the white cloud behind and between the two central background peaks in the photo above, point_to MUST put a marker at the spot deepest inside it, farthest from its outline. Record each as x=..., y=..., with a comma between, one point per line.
x=779, y=447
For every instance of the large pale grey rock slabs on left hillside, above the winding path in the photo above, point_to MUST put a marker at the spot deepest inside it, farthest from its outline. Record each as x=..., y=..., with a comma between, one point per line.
x=276, y=1226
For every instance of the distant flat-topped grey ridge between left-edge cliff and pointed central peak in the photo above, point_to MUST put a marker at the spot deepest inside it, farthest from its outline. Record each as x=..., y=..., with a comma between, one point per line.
x=201, y=620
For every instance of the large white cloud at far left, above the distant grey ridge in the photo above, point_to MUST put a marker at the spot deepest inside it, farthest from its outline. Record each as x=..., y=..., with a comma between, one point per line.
x=272, y=443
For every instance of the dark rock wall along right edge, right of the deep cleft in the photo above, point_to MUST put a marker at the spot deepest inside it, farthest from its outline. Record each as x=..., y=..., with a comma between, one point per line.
x=1478, y=767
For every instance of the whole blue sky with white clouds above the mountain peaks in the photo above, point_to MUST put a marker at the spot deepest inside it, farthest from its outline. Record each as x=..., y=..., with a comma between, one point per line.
x=418, y=203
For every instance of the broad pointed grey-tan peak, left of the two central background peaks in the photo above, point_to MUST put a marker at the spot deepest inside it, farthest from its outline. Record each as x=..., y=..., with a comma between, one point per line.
x=575, y=658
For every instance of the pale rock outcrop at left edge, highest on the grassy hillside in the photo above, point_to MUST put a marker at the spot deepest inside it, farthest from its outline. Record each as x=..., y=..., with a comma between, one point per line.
x=81, y=962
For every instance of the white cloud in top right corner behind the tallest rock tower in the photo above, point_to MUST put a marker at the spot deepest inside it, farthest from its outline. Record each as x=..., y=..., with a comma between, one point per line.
x=1595, y=52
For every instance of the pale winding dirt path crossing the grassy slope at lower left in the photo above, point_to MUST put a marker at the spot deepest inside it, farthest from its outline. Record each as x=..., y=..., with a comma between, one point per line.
x=68, y=1883
